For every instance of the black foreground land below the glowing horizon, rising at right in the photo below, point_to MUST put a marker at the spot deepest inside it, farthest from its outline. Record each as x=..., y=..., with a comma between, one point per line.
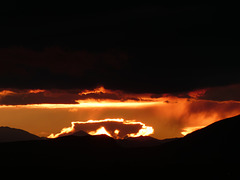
x=214, y=149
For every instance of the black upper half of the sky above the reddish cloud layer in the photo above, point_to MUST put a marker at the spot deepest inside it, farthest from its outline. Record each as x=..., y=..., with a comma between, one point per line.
x=161, y=47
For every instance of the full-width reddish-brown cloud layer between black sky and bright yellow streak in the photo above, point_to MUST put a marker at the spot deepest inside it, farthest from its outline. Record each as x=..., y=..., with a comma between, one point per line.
x=74, y=96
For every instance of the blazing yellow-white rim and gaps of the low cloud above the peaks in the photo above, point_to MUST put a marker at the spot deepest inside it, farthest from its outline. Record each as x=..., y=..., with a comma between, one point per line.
x=144, y=131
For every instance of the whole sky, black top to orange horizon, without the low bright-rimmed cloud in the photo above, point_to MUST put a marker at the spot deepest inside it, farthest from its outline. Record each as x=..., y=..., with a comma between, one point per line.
x=172, y=66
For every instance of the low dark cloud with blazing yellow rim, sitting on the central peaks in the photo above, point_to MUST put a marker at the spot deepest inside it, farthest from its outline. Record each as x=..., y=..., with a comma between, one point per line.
x=116, y=128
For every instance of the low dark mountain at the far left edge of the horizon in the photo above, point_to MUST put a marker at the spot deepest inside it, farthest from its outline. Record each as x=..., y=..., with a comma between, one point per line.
x=8, y=134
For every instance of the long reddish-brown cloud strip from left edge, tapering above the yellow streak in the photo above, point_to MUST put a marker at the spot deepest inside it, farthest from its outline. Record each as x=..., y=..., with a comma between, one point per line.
x=58, y=96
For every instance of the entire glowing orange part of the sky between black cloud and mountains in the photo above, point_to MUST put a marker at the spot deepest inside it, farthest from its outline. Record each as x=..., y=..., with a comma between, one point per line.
x=169, y=116
